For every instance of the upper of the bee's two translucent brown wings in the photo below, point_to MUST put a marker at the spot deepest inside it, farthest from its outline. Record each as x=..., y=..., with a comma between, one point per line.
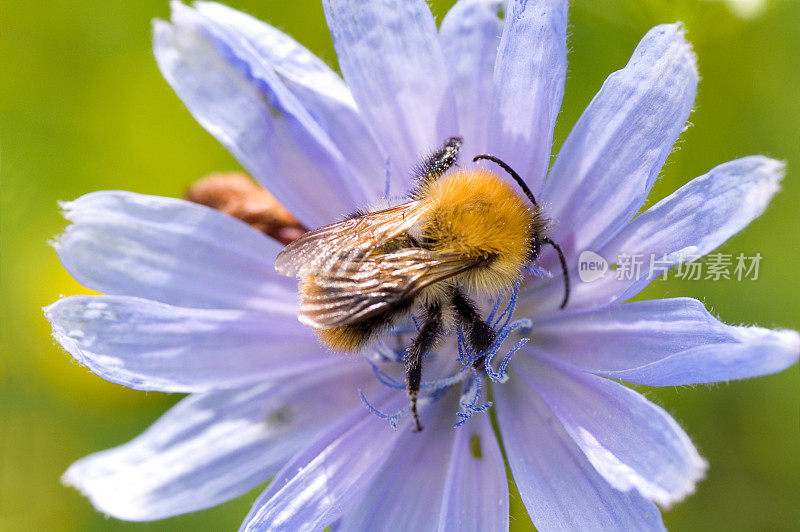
x=345, y=241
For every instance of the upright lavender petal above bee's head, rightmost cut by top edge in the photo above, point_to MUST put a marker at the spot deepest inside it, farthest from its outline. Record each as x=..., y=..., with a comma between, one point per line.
x=529, y=79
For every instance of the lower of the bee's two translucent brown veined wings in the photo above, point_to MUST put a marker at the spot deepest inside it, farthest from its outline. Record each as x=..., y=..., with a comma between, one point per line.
x=353, y=291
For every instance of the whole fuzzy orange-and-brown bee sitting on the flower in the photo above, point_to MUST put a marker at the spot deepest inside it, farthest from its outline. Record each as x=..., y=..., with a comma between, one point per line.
x=461, y=232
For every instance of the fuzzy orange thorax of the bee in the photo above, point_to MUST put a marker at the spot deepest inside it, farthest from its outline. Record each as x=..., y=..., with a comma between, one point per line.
x=477, y=214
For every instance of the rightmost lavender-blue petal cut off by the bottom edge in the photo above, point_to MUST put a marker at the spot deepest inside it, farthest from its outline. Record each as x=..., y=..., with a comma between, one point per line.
x=560, y=488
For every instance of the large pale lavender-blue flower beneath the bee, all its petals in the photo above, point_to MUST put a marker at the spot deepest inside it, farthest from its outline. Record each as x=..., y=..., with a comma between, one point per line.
x=195, y=306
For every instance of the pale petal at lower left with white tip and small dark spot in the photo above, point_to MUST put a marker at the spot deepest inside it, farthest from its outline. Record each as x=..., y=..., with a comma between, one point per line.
x=213, y=447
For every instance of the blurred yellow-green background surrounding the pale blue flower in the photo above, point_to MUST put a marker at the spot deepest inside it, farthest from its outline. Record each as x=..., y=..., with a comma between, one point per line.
x=83, y=107
